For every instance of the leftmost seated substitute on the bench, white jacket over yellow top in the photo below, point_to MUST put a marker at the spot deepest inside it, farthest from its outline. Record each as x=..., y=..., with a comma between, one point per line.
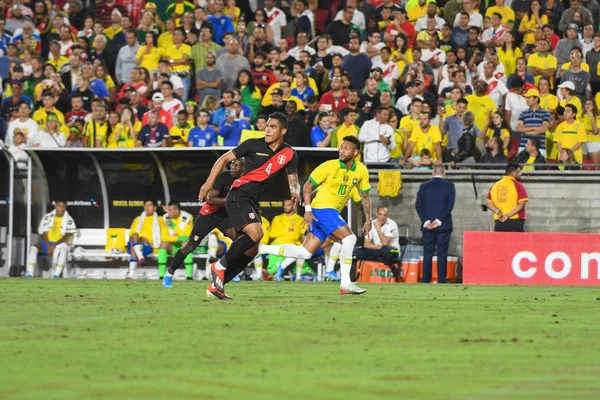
x=56, y=229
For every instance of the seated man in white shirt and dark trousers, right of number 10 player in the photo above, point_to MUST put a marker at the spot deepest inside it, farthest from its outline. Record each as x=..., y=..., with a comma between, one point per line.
x=382, y=242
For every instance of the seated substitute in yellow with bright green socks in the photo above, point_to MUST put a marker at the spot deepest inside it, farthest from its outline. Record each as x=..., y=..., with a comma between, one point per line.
x=178, y=225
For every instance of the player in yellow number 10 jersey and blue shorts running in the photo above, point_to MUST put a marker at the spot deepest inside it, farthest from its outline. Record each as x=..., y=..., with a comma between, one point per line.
x=334, y=180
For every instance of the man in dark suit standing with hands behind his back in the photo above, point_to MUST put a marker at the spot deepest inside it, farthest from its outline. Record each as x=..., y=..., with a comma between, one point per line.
x=435, y=201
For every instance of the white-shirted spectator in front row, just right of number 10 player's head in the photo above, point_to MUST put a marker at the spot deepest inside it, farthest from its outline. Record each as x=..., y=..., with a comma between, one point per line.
x=378, y=137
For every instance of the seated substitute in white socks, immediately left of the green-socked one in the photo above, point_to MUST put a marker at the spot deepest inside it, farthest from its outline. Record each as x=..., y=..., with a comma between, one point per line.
x=146, y=233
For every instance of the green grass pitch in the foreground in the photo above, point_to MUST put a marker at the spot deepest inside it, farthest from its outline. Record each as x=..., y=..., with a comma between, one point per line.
x=84, y=339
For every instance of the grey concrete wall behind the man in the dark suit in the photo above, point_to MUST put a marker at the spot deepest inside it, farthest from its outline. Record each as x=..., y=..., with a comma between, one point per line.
x=556, y=204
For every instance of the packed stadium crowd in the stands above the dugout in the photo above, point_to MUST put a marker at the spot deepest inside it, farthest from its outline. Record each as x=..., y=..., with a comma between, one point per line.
x=416, y=81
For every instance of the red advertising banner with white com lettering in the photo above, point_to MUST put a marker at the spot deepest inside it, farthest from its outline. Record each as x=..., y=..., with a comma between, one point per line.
x=502, y=258
